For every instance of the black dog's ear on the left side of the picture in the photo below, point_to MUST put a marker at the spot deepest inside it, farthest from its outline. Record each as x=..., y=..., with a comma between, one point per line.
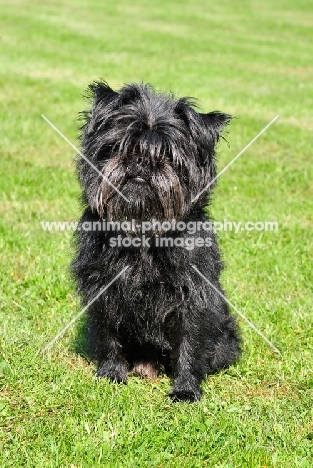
x=102, y=97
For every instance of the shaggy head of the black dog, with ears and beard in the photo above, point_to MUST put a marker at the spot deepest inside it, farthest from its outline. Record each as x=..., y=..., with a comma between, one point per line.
x=155, y=153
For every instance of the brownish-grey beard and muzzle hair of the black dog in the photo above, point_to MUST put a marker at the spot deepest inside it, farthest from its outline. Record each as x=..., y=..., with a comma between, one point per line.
x=158, y=195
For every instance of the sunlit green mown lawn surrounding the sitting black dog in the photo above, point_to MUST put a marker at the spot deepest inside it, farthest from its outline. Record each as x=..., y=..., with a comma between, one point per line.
x=251, y=59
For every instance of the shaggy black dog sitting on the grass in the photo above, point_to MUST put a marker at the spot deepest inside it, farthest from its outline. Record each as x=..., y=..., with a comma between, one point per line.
x=149, y=156
